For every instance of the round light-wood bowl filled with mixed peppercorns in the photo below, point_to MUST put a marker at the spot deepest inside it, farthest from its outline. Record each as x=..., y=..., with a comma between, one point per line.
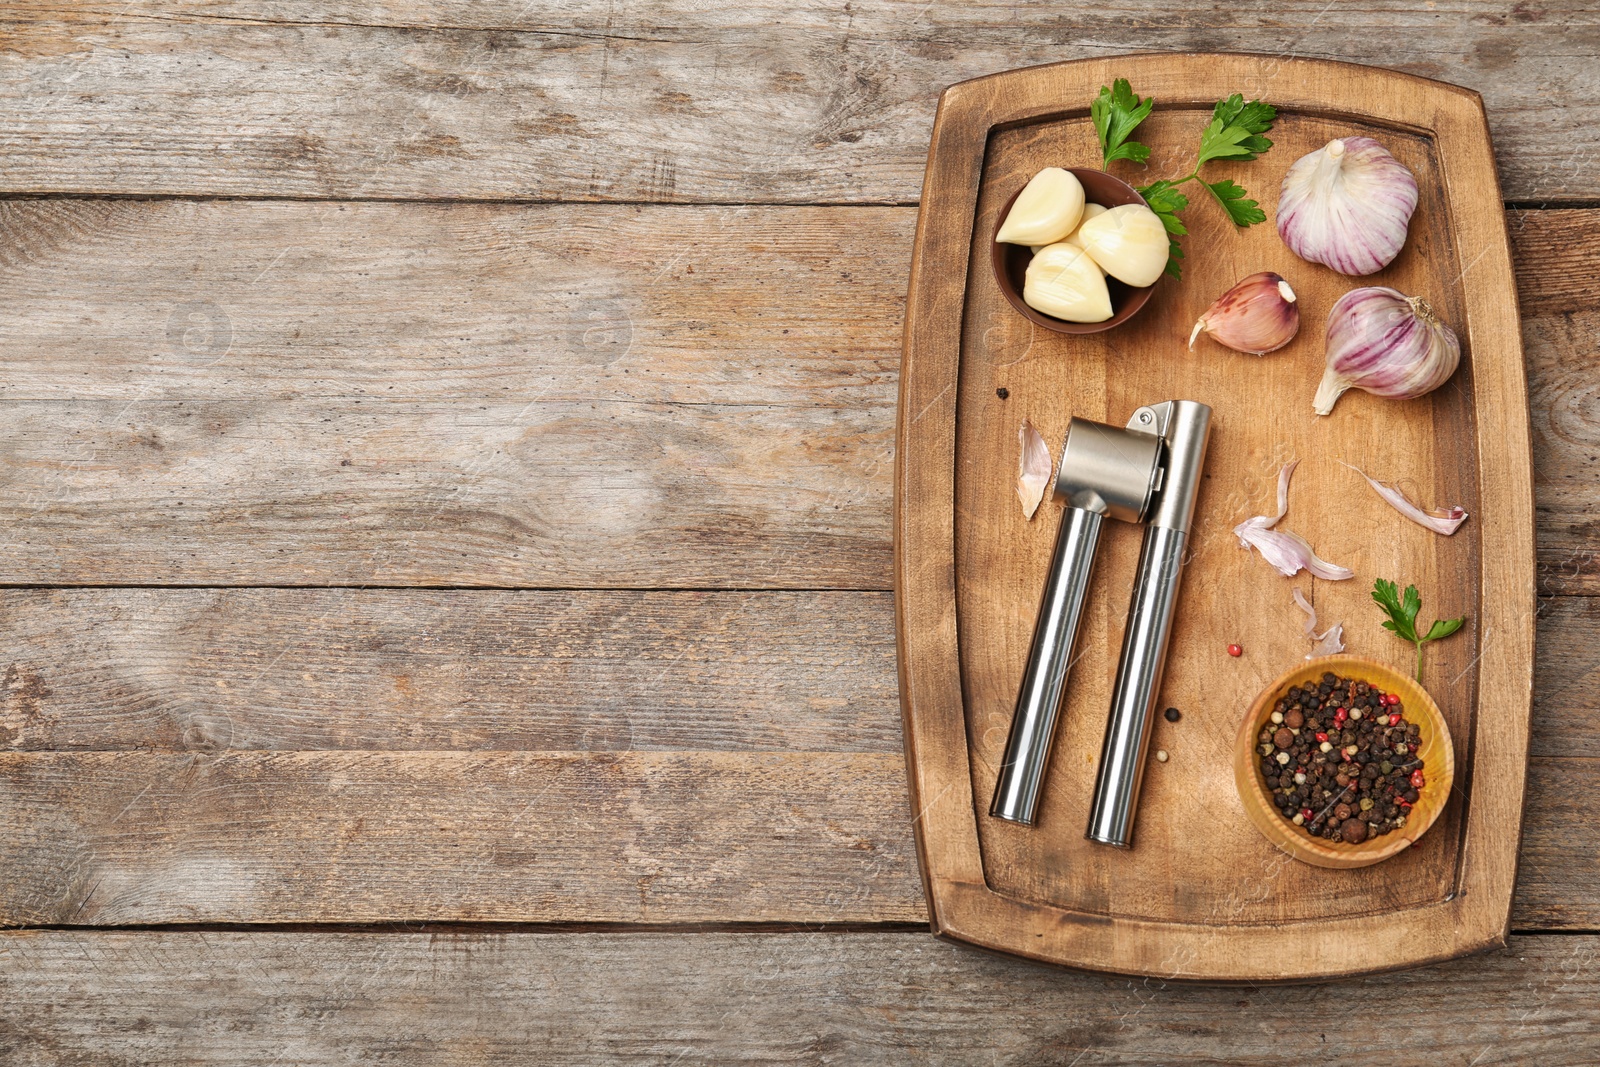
x=1343, y=762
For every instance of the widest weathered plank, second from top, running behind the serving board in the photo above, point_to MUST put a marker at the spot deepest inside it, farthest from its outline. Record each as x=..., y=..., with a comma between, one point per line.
x=681, y=396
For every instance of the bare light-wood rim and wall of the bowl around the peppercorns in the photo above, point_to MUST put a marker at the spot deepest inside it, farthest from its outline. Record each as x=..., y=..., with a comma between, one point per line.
x=1439, y=765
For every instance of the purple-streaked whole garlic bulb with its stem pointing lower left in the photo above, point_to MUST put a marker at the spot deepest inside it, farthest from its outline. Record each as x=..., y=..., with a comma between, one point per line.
x=1388, y=345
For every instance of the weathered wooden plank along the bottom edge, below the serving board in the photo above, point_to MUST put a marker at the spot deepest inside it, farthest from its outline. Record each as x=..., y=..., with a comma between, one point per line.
x=473, y=999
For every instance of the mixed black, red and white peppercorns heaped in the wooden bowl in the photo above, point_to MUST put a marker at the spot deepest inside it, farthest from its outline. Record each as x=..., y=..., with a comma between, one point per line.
x=1338, y=775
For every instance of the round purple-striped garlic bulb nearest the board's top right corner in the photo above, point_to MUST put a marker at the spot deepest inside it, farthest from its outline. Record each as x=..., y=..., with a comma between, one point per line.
x=1348, y=206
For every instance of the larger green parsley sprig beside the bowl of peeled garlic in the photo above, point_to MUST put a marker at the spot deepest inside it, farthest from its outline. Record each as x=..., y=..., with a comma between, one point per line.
x=1234, y=134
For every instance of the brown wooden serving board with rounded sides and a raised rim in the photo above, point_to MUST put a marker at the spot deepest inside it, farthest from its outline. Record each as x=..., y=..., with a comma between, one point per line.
x=1202, y=895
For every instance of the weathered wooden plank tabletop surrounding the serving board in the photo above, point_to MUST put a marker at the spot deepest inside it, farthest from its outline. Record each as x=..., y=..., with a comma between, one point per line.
x=447, y=497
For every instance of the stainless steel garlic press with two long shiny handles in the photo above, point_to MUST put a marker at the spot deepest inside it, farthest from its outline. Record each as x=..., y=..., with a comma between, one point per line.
x=1148, y=473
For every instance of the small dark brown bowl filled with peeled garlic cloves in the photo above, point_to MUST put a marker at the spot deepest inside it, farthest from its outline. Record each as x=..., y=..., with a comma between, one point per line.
x=1078, y=250
